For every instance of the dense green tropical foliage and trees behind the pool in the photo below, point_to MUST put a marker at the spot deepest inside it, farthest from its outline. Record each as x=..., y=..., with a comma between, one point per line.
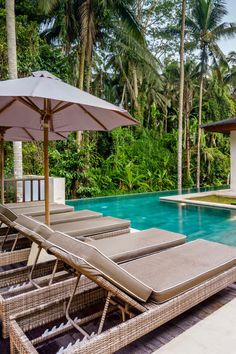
x=126, y=52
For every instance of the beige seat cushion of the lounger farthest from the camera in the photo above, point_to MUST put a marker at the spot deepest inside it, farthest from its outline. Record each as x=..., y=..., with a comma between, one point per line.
x=40, y=210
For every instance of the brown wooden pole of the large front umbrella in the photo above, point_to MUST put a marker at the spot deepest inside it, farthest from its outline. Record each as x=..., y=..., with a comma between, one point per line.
x=46, y=172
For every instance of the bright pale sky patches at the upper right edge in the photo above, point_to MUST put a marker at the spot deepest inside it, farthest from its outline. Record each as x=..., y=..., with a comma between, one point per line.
x=229, y=44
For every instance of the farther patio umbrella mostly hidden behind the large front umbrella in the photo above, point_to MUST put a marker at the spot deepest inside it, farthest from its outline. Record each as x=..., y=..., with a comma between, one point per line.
x=21, y=134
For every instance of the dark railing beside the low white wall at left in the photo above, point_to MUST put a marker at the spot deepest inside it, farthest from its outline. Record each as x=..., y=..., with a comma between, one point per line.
x=26, y=189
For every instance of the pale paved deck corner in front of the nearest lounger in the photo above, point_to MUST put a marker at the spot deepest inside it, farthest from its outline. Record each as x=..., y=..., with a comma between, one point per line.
x=213, y=335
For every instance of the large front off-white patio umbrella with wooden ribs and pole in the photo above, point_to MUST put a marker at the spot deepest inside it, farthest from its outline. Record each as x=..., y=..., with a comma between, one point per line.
x=43, y=101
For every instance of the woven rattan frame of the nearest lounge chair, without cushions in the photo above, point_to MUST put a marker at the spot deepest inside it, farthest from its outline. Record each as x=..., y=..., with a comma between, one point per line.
x=152, y=316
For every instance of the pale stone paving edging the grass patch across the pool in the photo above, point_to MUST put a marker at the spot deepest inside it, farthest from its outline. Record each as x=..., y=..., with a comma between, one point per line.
x=184, y=199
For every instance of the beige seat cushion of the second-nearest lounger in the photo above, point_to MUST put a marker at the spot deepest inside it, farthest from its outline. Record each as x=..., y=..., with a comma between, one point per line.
x=133, y=245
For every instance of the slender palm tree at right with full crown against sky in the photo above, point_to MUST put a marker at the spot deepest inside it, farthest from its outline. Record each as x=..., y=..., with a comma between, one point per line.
x=206, y=27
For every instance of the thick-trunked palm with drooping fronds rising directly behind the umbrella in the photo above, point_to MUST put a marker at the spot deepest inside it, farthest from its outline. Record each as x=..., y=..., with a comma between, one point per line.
x=83, y=23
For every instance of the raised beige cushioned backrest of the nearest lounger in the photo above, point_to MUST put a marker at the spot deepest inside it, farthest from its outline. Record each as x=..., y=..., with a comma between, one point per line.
x=88, y=260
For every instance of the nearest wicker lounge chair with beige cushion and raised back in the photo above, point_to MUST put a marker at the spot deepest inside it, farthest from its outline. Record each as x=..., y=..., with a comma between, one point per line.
x=147, y=292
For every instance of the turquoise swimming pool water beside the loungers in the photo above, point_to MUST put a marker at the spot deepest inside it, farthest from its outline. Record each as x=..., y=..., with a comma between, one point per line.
x=146, y=210
